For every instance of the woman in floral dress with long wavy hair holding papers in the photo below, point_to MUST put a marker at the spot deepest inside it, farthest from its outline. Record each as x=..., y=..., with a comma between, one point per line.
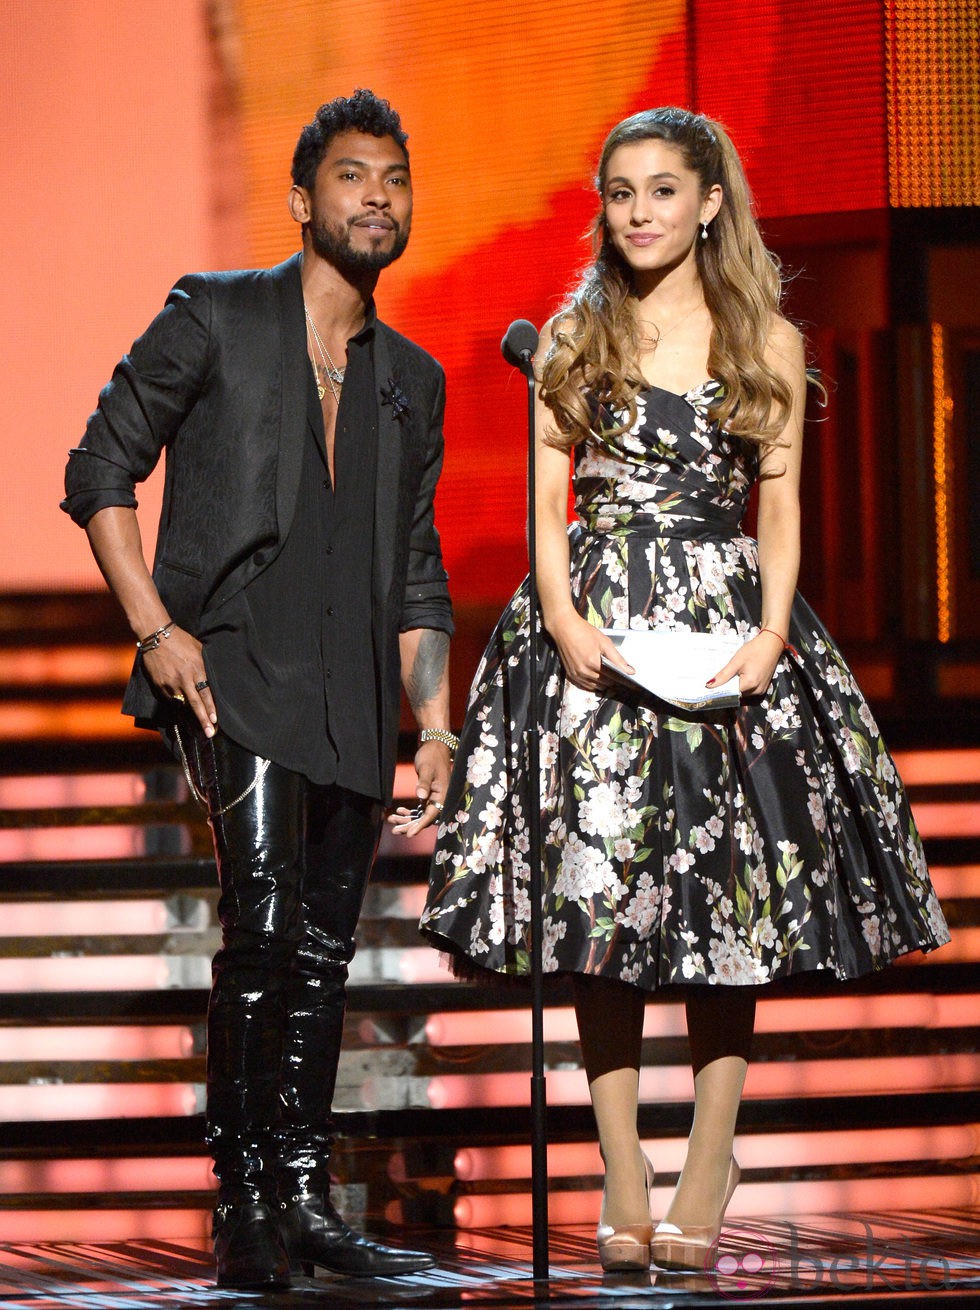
x=717, y=851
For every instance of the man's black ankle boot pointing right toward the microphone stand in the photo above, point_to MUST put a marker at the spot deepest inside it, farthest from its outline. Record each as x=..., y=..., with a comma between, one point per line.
x=314, y=1233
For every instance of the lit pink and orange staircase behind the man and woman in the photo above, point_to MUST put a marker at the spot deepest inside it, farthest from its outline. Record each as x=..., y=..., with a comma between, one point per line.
x=860, y=1097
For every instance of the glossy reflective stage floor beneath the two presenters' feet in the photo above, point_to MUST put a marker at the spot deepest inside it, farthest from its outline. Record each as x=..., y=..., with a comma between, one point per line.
x=861, y=1260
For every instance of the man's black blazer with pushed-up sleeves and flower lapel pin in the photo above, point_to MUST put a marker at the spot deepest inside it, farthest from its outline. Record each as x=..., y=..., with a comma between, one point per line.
x=219, y=382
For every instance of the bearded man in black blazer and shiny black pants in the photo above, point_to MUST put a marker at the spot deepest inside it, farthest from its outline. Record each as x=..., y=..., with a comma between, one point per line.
x=298, y=573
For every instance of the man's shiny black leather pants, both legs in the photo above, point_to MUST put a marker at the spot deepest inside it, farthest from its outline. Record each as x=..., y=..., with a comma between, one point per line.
x=293, y=864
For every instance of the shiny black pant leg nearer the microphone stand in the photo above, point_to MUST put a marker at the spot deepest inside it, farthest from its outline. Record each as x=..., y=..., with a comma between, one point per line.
x=343, y=835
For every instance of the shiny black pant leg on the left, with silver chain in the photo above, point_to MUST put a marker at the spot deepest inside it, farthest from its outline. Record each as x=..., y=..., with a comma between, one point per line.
x=260, y=855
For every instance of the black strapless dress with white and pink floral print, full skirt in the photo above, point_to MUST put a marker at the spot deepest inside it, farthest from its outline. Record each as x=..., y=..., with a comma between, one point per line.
x=736, y=847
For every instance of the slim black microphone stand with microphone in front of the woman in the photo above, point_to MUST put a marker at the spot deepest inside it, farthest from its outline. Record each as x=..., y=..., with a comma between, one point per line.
x=518, y=348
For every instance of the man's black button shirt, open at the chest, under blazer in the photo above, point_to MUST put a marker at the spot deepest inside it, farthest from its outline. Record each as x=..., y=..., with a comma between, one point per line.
x=292, y=657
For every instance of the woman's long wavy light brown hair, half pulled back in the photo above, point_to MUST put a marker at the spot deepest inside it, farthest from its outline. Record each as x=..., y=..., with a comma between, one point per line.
x=597, y=340
